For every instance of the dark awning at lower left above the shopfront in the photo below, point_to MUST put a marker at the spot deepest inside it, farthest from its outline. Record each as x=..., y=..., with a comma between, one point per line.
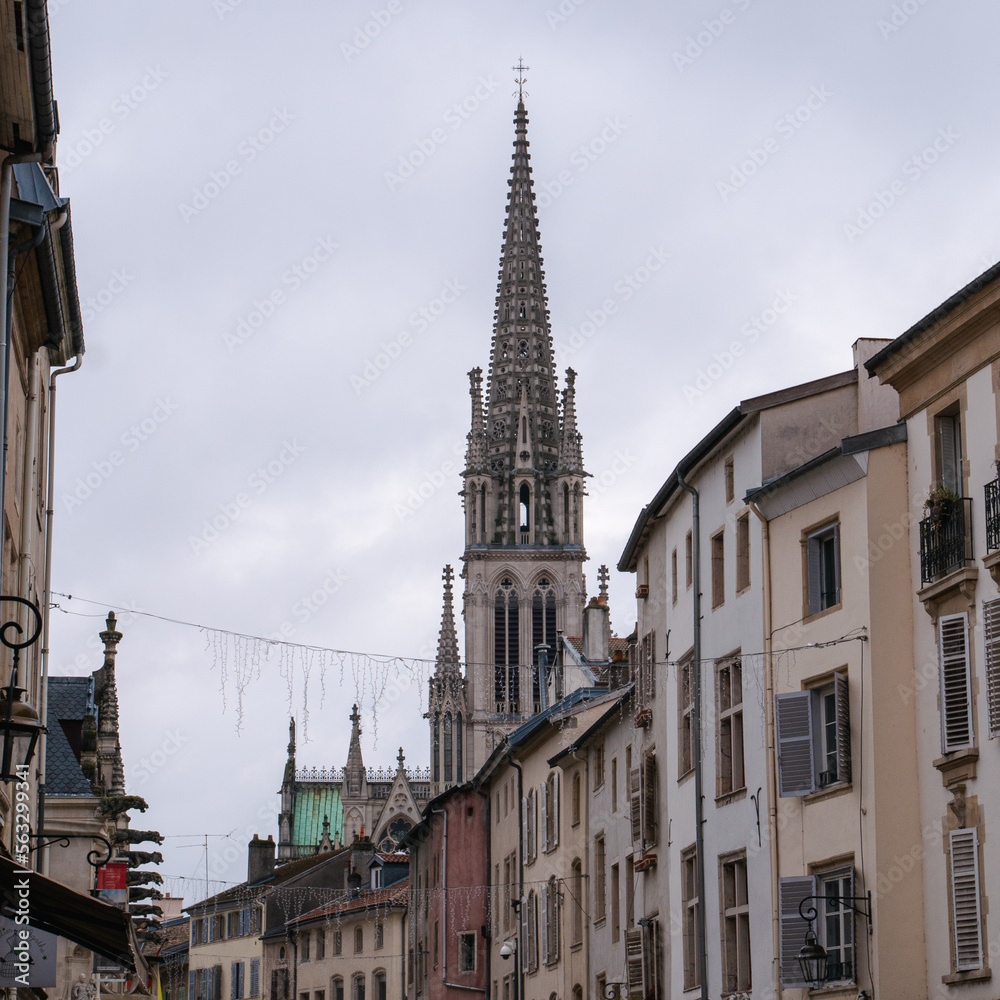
x=54, y=907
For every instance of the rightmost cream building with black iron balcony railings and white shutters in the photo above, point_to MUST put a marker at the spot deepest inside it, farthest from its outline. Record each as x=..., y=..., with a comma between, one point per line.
x=946, y=369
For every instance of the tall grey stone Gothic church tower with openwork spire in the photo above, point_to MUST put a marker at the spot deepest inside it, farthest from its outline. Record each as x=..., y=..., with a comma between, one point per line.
x=523, y=492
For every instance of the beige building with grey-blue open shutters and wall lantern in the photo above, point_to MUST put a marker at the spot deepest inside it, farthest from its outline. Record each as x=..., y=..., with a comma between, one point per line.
x=848, y=849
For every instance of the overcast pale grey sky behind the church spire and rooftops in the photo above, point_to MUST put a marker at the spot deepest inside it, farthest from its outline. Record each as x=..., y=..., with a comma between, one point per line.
x=287, y=221
